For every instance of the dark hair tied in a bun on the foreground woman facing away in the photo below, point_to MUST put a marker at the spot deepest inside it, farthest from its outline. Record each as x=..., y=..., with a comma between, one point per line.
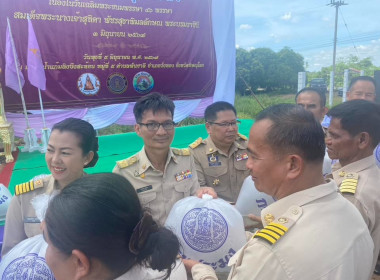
x=99, y=214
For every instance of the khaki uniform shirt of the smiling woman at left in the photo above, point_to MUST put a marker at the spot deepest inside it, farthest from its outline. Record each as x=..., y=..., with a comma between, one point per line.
x=21, y=221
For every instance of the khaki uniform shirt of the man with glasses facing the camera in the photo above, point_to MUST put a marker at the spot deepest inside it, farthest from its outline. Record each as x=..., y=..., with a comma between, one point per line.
x=156, y=190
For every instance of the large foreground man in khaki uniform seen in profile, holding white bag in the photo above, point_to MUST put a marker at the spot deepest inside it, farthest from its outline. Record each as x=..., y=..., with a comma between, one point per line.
x=311, y=231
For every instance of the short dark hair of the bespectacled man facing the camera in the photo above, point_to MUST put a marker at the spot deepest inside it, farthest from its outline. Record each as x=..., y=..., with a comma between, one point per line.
x=155, y=102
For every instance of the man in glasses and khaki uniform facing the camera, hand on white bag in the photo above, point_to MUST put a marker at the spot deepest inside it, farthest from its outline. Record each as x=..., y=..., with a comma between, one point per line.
x=160, y=174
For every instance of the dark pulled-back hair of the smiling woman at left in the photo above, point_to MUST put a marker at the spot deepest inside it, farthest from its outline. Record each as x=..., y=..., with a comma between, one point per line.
x=86, y=132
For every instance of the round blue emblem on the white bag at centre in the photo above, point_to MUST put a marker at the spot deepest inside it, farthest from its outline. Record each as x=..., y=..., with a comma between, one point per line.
x=203, y=229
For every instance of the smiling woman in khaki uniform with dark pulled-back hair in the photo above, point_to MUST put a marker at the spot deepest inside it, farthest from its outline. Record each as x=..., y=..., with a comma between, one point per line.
x=72, y=146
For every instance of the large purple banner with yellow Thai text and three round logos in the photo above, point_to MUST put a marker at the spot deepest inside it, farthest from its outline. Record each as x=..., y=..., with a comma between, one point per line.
x=105, y=52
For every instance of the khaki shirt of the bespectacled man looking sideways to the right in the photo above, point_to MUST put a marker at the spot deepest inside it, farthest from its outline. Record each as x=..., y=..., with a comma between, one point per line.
x=224, y=172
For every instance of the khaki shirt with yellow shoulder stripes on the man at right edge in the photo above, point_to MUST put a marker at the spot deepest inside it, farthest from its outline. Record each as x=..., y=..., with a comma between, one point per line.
x=366, y=194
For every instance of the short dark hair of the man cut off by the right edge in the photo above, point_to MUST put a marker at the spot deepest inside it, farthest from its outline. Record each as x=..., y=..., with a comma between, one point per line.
x=359, y=116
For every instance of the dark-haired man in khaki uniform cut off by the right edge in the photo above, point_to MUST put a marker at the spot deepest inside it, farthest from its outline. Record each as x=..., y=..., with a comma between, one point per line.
x=352, y=135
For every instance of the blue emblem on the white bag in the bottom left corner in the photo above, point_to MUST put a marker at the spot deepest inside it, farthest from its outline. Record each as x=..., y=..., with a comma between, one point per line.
x=29, y=267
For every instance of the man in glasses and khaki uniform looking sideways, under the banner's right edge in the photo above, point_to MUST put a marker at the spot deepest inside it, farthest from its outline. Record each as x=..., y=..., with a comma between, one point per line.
x=221, y=158
